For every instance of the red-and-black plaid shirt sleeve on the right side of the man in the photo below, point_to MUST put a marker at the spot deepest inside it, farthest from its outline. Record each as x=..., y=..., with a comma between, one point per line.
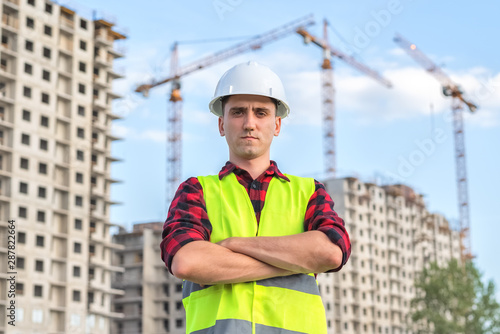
x=320, y=216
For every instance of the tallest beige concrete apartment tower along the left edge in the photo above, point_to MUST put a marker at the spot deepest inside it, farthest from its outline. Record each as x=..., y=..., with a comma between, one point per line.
x=55, y=159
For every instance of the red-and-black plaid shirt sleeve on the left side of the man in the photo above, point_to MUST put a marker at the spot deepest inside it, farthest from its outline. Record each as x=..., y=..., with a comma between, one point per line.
x=187, y=220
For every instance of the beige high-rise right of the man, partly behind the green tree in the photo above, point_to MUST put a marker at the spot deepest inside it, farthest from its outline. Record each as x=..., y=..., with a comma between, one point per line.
x=393, y=236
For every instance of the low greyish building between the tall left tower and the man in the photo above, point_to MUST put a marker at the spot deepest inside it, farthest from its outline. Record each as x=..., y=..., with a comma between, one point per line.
x=152, y=302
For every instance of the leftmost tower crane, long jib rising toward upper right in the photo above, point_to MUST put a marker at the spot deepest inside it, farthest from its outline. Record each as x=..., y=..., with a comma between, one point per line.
x=174, y=111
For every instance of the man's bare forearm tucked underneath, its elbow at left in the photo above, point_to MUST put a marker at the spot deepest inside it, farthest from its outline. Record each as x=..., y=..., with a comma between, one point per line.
x=207, y=263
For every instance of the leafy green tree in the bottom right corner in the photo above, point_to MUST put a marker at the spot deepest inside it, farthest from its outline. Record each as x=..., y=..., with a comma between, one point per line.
x=452, y=299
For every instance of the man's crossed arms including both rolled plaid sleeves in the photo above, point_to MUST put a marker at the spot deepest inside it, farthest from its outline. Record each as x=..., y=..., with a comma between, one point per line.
x=188, y=253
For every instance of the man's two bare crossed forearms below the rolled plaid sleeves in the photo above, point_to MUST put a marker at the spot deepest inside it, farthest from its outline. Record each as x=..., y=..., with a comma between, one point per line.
x=238, y=259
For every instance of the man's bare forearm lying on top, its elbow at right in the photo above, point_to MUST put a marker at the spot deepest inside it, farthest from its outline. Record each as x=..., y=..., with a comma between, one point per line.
x=304, y=253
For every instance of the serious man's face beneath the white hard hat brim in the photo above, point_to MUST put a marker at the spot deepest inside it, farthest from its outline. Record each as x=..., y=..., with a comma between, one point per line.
x=249, y=124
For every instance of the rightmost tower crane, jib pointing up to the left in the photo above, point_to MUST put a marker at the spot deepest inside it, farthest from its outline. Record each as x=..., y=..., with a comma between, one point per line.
x=458, y=101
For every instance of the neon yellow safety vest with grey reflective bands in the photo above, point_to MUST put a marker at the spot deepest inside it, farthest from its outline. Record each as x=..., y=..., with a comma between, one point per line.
x=286, y=305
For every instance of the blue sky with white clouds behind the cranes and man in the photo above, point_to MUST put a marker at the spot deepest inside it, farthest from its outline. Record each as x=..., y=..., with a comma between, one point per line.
x=378, y=130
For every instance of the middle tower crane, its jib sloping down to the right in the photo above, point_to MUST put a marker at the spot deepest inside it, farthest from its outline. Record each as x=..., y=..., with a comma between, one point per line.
x=328, y=91
